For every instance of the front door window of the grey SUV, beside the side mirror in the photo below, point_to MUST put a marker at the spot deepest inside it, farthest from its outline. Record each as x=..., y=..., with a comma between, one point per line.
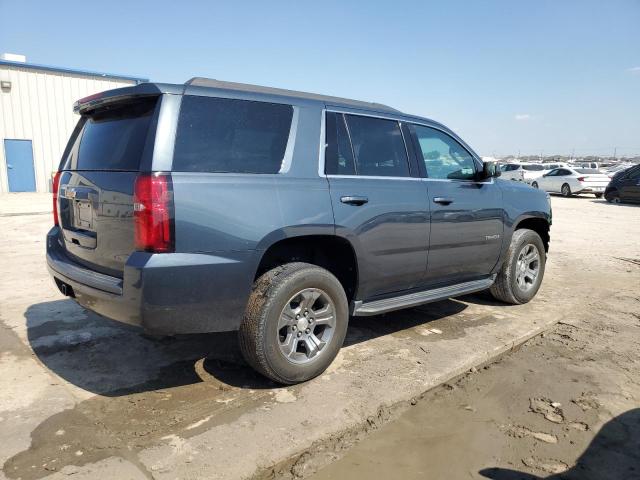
x=443, y=156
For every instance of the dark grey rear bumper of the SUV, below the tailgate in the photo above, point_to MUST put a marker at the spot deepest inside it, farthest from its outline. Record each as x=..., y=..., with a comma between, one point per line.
x=168, y=293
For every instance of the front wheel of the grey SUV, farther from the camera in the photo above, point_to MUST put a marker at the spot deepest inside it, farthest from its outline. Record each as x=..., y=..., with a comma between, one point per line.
x=521, y=273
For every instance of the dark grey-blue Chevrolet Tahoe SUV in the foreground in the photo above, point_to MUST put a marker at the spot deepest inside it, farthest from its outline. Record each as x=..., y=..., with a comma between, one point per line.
x=214, y=206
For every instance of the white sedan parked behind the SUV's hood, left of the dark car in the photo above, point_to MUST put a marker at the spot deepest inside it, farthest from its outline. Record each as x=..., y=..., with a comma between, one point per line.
x=571, y=181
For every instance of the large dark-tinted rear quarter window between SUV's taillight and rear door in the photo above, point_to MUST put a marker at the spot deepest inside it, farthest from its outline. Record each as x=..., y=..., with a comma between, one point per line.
x=225, y=135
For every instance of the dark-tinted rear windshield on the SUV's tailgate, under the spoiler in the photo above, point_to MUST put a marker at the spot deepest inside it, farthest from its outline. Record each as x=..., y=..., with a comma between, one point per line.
x=113, y=138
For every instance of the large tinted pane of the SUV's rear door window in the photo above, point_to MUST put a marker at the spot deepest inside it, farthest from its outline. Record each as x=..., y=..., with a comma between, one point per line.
x=378, y=146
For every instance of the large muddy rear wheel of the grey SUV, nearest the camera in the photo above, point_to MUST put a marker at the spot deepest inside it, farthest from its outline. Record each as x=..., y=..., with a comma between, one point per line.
x=295, y=322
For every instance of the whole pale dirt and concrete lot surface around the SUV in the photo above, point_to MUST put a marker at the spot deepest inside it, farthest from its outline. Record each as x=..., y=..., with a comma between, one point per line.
x=86, y=396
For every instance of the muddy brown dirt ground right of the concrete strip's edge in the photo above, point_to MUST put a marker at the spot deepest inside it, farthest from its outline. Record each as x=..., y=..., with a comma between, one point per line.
x=564, y=405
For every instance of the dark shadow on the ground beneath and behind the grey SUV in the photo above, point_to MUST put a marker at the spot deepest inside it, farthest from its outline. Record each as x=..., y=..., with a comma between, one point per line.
x=112, y=359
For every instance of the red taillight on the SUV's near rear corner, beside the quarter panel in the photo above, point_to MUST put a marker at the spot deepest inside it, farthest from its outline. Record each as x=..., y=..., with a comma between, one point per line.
x=153, y=213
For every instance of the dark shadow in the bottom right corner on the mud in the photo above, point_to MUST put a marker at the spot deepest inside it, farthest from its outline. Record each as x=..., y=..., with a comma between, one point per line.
x=613, y=453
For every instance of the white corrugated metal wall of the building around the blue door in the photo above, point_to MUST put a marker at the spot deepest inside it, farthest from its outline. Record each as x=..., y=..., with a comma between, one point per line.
x=39, y=107
